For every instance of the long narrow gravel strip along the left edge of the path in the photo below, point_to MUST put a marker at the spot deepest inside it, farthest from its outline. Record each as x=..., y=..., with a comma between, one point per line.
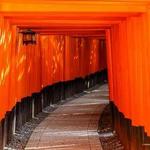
x=20, y=139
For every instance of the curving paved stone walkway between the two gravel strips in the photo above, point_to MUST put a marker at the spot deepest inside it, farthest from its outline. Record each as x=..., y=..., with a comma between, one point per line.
x=72, y=126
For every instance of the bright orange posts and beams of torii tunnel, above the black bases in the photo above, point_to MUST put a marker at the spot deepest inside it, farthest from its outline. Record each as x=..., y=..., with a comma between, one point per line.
x=69, y=45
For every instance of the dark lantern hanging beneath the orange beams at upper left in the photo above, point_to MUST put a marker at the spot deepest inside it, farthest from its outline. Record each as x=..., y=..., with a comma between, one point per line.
x=29, y=37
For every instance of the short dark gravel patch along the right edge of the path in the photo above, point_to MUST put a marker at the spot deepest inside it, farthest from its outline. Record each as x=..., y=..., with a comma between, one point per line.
x=109, y=138
